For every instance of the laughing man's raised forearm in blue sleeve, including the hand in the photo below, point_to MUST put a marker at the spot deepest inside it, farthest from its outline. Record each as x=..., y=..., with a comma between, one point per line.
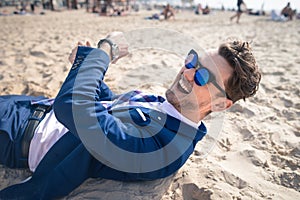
x=78, y=99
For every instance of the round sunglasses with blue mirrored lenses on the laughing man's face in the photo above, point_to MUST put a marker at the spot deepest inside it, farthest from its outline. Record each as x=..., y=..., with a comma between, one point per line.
x=202, y=75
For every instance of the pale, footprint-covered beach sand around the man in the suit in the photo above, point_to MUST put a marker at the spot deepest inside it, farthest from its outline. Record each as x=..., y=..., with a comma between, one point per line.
x=255, y=153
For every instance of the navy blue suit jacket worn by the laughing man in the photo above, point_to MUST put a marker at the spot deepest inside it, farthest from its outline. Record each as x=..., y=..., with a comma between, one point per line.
x=93, y=129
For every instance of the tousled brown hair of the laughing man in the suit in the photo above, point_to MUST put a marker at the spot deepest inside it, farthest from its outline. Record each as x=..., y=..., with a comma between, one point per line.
x=245, y=79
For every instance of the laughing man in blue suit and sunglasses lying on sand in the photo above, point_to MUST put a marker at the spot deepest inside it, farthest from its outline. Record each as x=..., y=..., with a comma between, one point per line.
x=87, y=131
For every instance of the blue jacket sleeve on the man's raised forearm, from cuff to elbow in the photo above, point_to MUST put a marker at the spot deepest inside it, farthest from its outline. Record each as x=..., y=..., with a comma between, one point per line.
x=82, y=87
